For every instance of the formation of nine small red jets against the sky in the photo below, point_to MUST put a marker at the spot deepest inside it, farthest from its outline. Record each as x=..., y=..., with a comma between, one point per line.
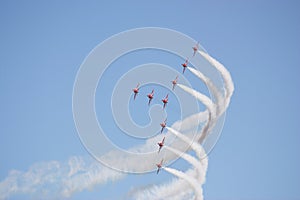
x=165, y=101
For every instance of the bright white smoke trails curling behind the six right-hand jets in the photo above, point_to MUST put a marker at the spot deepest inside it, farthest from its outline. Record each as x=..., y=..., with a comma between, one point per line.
x=195, y=180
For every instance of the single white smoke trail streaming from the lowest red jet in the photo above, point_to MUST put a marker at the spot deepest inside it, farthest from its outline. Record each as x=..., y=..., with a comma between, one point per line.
x=193, y=182
